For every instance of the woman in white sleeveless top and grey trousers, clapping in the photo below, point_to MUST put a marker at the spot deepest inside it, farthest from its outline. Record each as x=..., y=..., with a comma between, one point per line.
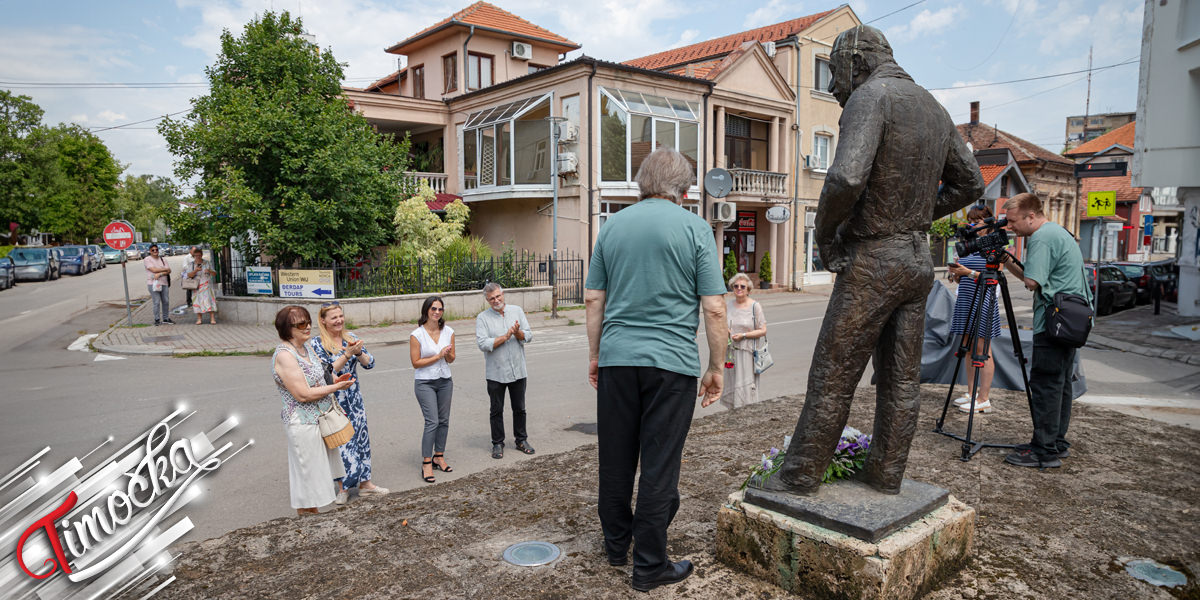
x=431, y=349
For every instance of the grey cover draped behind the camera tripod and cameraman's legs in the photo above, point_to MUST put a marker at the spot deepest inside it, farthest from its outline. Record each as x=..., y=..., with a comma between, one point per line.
x=938, y=357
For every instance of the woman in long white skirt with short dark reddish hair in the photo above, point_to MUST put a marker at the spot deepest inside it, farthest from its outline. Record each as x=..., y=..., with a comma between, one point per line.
x=301, y=379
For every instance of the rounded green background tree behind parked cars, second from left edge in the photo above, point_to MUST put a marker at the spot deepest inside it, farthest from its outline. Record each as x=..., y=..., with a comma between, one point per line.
x=79, y=193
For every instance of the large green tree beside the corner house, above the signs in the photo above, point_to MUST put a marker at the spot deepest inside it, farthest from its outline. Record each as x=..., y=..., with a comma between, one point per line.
x=278, y=152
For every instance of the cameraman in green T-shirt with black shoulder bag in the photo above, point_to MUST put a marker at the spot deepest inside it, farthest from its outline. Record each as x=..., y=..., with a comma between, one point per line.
x=1053, y=265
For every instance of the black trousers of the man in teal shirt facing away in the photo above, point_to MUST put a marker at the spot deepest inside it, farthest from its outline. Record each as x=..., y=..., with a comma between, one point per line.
x=643, y=413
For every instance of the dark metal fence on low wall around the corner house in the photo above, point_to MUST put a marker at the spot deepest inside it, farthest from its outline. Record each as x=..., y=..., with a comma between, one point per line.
x=460, y=274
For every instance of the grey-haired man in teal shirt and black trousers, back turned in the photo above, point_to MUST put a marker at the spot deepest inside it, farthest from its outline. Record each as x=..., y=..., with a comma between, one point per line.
x=653, y=269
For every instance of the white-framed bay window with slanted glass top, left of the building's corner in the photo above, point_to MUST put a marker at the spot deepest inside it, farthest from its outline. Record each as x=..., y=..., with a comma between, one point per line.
x=508, y=145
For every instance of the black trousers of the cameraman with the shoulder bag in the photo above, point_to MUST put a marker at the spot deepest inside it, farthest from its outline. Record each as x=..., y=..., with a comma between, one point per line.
x=1051, y=388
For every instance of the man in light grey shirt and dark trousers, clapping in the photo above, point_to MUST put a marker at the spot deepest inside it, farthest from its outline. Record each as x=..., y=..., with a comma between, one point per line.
x=501, y=334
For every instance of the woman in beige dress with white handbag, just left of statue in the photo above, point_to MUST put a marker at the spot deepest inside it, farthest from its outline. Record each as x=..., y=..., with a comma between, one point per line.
x=747, y=326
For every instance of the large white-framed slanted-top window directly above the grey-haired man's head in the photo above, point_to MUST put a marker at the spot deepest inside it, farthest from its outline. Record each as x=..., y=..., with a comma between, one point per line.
x=633, y=125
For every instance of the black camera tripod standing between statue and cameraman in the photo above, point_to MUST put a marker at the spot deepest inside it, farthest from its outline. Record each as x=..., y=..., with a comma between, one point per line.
x=986, y=287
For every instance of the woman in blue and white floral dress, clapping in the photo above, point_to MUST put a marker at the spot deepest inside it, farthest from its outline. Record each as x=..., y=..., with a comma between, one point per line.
x=344, y=353
